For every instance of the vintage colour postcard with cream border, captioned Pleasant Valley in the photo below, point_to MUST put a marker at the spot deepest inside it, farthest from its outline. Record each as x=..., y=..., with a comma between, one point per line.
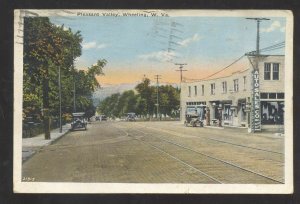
x=153, y=101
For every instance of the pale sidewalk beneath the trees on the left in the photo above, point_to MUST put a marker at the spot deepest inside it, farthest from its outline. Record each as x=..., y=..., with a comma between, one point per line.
x=31, y=145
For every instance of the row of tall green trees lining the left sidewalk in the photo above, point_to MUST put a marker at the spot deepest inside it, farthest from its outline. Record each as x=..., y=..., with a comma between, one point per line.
x=47, y=49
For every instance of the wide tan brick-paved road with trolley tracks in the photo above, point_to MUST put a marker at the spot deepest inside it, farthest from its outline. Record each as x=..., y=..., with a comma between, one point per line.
x=158, y=152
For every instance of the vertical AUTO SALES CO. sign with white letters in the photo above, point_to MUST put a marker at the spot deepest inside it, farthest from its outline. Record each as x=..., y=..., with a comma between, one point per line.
x=256, y=116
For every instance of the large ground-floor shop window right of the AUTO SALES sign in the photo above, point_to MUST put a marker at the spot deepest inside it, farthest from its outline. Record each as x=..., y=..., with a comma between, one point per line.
x=272, y=112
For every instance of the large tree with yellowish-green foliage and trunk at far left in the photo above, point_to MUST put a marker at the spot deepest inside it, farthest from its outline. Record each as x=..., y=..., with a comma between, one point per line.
x=46, y=47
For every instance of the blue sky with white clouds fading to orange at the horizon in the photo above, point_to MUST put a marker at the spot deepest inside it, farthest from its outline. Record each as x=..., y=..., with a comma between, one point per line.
x=145, y=46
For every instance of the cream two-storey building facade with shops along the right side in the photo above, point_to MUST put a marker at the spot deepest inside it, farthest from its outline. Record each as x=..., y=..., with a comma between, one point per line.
x=229, y=101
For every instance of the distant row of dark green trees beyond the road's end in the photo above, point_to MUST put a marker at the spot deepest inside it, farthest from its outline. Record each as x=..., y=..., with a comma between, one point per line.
x=142, y=101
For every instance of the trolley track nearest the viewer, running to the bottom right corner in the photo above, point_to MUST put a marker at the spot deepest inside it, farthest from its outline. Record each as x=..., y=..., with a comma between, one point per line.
x=220, y=171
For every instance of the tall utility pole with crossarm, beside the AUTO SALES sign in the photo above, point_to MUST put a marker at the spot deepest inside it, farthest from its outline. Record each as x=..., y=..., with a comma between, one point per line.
x=256, y=109
